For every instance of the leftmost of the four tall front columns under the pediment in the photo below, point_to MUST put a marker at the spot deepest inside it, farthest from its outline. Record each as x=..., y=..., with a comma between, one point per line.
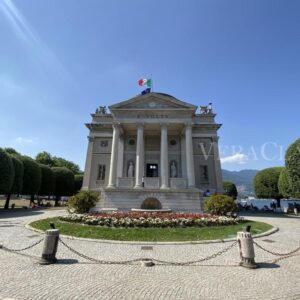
x=114, y=157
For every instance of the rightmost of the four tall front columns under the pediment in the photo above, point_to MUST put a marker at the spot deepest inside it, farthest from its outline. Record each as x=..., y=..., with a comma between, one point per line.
x=189, y=156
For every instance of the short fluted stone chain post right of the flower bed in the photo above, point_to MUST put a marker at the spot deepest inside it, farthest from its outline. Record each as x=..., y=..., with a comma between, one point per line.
x=246, y=249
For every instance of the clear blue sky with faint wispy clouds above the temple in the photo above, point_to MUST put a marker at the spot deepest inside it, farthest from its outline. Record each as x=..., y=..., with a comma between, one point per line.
x=60, y=60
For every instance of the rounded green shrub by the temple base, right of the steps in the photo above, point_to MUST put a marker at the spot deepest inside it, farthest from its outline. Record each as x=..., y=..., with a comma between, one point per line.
x=220, y=205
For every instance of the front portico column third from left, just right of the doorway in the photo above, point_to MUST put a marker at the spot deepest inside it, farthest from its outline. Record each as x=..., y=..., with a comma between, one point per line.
x=164, y=160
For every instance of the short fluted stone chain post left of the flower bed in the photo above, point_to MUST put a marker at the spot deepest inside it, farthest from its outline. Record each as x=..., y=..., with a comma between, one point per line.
x=50, y=247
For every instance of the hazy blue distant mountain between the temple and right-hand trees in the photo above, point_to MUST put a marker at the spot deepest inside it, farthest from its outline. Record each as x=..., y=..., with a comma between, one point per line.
x=242, y=179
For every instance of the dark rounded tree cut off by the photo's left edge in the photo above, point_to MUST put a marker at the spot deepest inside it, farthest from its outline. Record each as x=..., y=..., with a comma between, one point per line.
x=7, y=173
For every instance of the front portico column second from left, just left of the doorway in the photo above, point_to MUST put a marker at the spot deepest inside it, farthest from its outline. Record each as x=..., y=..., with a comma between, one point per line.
x=139, y=165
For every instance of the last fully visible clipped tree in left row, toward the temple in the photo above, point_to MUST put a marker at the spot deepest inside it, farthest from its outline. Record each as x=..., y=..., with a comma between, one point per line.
x=64, y=182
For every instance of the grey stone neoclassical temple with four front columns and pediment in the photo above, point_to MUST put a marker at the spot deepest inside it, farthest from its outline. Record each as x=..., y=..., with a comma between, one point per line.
x=153, y=151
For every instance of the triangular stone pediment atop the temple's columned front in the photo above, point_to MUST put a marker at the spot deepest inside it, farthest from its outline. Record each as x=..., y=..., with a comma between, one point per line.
x=152, y=101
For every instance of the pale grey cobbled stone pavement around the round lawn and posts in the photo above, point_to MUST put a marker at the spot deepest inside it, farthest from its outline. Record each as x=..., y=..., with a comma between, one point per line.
x=76, y=278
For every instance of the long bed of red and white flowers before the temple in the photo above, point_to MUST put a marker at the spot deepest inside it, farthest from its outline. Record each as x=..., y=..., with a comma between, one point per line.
x=142, y=219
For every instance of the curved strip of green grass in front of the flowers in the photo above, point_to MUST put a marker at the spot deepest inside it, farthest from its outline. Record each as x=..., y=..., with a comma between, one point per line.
x=150, y=234
